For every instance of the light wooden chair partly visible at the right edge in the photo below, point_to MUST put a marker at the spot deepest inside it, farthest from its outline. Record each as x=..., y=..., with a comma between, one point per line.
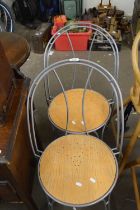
x=133, y=101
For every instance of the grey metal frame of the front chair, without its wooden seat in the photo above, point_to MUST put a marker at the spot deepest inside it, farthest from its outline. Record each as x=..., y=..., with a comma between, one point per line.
x=119, y=112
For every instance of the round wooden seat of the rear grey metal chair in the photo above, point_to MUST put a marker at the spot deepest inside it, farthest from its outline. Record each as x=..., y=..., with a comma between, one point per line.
x=66, y=110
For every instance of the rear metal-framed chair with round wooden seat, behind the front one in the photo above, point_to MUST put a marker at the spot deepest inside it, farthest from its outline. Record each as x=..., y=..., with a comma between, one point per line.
x=102, y=103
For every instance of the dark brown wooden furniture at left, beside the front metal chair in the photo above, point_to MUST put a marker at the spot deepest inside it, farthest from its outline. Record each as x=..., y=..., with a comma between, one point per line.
x=16, y=159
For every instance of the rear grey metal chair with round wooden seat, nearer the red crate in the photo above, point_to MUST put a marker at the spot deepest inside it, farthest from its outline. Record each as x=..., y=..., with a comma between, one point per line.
x=96, y=116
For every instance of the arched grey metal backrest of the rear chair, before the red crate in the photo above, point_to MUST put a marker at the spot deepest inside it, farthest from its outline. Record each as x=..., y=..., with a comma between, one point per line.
x=98, y=31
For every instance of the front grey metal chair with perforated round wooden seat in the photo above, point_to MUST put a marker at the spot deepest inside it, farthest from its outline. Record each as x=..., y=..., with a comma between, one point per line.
x=76, y=170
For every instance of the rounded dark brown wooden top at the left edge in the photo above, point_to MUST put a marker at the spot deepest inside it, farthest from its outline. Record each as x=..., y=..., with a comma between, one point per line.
x=16, y=48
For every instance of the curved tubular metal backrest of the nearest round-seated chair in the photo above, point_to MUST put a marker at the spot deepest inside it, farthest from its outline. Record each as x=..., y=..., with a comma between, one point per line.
x=55, y=70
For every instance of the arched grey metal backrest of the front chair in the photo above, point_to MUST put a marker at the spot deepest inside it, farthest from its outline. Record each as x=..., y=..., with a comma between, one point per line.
x=93, y=67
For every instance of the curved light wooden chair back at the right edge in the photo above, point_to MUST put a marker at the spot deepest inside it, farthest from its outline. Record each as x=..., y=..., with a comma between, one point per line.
x=135, y=94
